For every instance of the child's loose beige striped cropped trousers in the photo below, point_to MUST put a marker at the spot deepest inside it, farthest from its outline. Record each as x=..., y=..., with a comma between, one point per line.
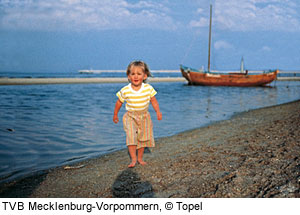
x=139, y=129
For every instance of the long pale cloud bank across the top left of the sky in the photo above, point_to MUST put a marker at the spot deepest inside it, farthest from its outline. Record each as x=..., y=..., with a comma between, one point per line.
x=80, y=15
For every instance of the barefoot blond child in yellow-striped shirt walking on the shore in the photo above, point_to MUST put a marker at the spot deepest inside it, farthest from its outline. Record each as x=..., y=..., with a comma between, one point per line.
x=137, y=121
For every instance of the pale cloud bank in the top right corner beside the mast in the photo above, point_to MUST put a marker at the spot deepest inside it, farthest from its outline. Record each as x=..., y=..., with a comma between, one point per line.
x=255, y=15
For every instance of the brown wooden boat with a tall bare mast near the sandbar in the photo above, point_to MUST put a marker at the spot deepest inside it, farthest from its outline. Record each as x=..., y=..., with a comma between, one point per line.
x=241, y=79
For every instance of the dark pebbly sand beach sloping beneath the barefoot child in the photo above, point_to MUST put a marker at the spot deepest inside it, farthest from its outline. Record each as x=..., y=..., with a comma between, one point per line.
x=254, y=154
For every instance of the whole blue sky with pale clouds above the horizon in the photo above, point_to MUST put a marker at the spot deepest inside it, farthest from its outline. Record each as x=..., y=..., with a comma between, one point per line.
x=69, y=35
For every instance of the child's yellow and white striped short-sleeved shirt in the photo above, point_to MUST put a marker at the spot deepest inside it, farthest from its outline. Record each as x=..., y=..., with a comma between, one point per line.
x=136, y=100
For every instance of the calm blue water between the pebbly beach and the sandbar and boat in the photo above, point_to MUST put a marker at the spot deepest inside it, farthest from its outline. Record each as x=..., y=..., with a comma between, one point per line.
x=43, y=126
